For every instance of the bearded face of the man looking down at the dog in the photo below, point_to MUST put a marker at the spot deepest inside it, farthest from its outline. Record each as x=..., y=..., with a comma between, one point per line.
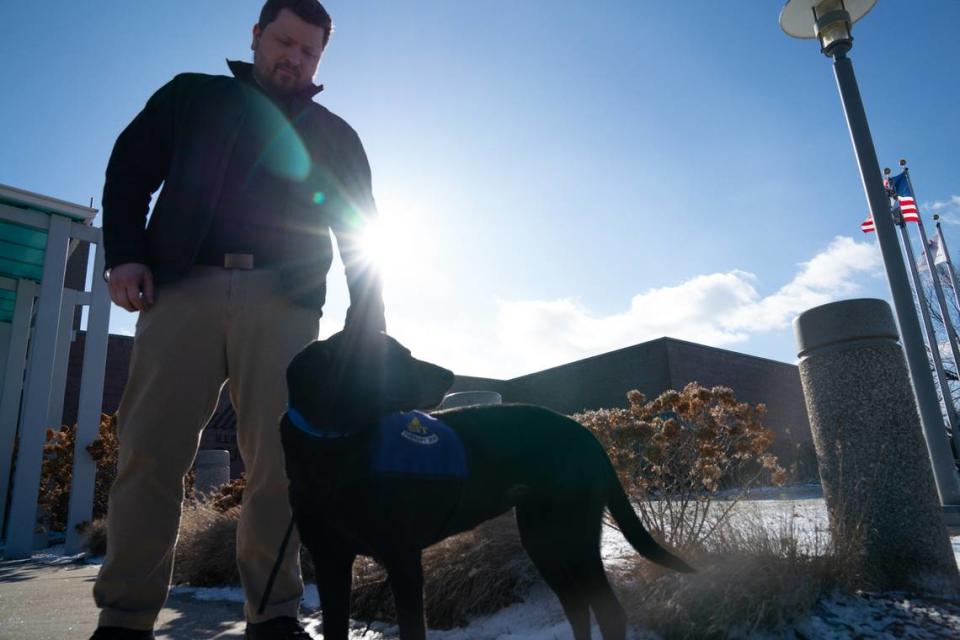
x=286, y=53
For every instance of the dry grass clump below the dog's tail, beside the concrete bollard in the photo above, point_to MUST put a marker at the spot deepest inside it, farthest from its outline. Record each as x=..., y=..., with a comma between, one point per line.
x=750, y=579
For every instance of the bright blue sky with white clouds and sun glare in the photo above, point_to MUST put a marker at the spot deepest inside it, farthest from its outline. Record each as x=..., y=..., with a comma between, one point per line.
x=560, y=178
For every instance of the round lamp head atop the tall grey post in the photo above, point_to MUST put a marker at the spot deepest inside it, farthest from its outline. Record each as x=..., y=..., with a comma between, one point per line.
x=829, y=21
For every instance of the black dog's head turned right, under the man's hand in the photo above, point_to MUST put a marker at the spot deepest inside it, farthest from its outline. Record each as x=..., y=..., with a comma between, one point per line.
x=351, y=380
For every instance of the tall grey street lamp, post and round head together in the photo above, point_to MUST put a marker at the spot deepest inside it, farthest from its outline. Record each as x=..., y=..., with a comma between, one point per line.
x=830, y=22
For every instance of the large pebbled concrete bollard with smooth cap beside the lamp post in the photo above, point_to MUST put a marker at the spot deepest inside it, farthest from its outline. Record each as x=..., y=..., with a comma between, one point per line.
x=884, y=510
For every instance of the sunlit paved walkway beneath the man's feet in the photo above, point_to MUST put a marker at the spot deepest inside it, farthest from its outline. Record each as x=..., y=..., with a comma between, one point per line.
x=54, y=601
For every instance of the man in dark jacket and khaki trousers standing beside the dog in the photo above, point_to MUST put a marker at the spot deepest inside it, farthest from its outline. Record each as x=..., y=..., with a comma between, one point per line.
x=229, y=279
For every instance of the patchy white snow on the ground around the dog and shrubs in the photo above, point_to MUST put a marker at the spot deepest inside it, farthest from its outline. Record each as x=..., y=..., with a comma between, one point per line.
x=539, y=617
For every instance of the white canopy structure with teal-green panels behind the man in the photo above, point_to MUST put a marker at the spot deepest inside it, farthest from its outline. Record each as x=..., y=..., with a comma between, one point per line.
x=37, y=234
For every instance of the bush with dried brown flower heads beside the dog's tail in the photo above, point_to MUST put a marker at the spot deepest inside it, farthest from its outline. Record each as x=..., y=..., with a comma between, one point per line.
x=675, y=453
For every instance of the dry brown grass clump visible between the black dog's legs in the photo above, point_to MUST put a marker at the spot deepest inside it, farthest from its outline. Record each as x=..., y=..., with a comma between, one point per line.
x=474, y=573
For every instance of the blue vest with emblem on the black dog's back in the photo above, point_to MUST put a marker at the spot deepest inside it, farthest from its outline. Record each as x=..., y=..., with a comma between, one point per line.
x=417, y=444
